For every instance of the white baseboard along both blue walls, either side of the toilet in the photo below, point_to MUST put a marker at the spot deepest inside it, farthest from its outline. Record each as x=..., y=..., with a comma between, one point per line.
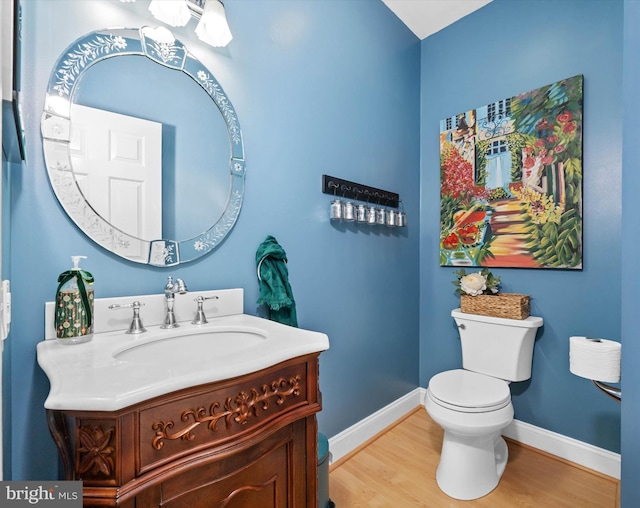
x=578, y=452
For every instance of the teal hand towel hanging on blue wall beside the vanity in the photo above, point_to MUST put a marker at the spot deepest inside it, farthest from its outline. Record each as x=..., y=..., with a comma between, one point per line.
x=275, y=290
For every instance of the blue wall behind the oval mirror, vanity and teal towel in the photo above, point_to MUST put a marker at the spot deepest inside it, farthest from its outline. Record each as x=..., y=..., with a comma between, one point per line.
x=319, y=87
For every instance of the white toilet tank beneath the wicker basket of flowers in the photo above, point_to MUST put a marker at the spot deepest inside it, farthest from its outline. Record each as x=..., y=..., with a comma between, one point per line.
x=497, y=347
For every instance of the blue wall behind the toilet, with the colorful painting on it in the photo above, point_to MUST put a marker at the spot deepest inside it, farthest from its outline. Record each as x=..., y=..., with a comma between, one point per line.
x=501, y=50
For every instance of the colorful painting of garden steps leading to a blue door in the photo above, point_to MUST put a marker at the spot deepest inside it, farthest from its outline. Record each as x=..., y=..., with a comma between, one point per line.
x=511, y=181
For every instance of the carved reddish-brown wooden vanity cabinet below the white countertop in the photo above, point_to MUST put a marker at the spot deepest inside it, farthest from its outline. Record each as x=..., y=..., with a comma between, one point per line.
x=247, y=442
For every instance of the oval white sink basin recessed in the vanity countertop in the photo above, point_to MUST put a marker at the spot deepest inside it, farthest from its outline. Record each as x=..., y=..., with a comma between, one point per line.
x=193, y=346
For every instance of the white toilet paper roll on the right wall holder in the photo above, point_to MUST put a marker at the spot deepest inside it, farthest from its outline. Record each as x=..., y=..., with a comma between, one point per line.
x=597, y=359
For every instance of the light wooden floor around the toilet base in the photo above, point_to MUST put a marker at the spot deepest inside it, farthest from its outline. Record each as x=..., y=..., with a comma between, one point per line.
x=397, y=470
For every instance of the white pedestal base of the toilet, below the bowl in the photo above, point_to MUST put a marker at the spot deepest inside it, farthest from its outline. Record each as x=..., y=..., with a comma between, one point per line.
x=471, y=466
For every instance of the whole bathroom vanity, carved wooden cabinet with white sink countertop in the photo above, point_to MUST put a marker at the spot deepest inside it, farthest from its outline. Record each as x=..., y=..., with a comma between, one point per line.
x=217, y=415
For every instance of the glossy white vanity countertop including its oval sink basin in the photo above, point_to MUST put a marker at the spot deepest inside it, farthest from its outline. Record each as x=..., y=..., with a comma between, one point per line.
x=116, y=370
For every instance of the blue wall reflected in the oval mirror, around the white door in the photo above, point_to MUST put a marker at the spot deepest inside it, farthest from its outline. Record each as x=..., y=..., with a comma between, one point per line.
x=195, y=141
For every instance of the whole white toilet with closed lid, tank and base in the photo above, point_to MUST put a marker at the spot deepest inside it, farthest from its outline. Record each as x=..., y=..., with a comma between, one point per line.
x=473, y=404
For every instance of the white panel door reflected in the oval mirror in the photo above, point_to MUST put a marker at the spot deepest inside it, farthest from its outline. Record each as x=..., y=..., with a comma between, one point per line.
x=117, y=163
